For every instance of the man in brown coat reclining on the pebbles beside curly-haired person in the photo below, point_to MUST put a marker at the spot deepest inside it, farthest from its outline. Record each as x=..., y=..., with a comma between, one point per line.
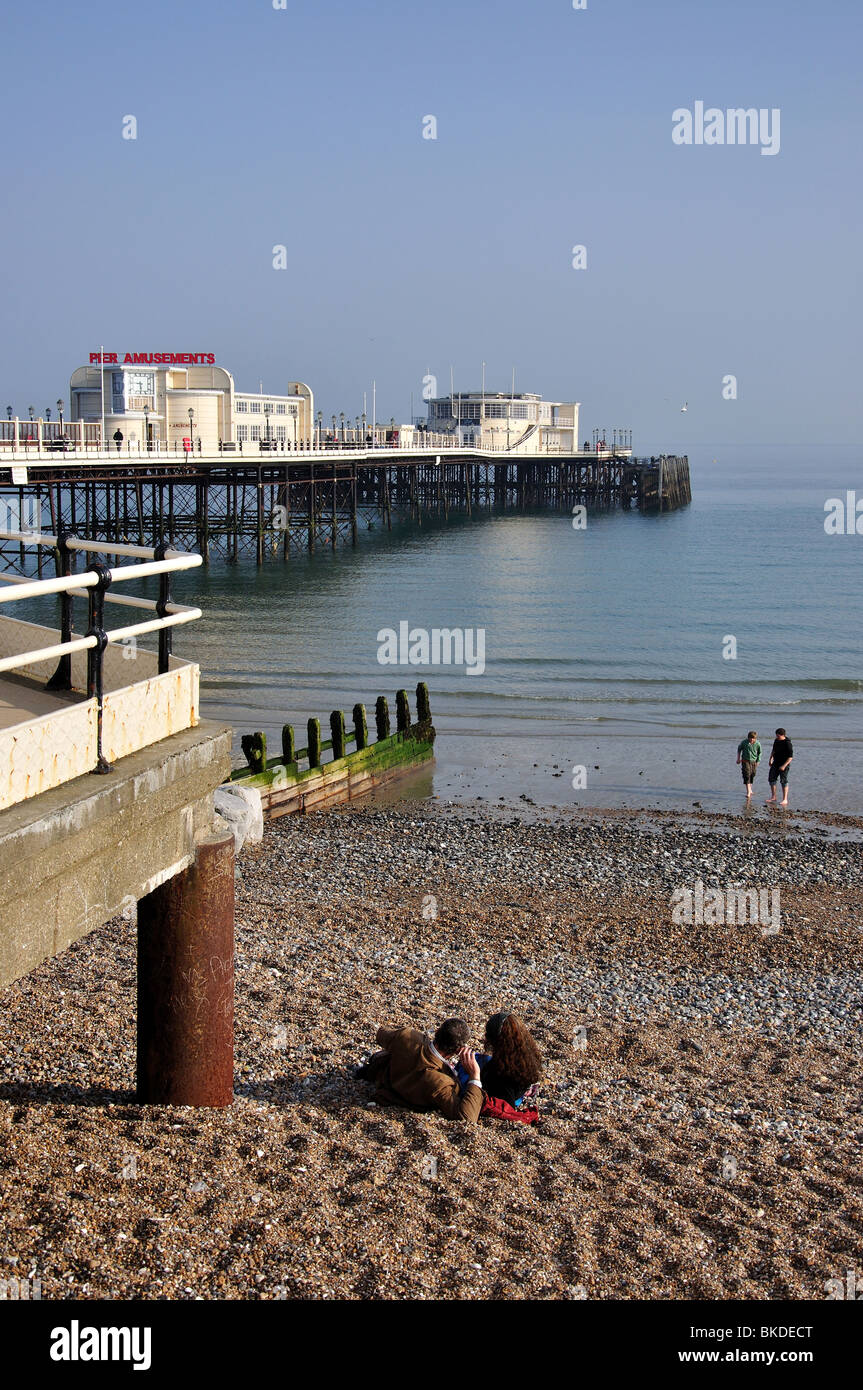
x=415, y=1070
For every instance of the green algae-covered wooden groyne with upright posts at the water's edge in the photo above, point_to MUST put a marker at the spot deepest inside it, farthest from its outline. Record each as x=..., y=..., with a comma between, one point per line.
x=299, y=780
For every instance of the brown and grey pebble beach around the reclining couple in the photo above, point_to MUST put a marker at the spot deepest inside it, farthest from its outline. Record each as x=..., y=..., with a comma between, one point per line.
x=701, y=1128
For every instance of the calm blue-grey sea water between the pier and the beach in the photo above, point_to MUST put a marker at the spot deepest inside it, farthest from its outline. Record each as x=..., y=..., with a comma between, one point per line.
x=604, y=647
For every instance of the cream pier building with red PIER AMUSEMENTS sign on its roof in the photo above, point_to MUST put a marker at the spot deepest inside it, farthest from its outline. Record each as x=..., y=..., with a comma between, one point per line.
x=173, y=400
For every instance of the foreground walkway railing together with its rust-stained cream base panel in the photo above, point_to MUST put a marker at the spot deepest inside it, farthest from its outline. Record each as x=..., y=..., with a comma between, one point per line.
x=138, y=715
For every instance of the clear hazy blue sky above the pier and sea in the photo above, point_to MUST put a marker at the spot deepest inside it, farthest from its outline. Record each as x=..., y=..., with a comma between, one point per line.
x=304, y=127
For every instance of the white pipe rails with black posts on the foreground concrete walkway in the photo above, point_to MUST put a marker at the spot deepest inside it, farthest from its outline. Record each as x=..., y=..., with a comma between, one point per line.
x=94, y=584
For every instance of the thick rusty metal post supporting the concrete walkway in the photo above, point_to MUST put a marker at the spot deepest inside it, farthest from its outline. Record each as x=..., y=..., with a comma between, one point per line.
x=186, y=983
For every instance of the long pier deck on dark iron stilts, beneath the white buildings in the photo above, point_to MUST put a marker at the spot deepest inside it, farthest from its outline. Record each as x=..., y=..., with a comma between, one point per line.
x=266, y=505
